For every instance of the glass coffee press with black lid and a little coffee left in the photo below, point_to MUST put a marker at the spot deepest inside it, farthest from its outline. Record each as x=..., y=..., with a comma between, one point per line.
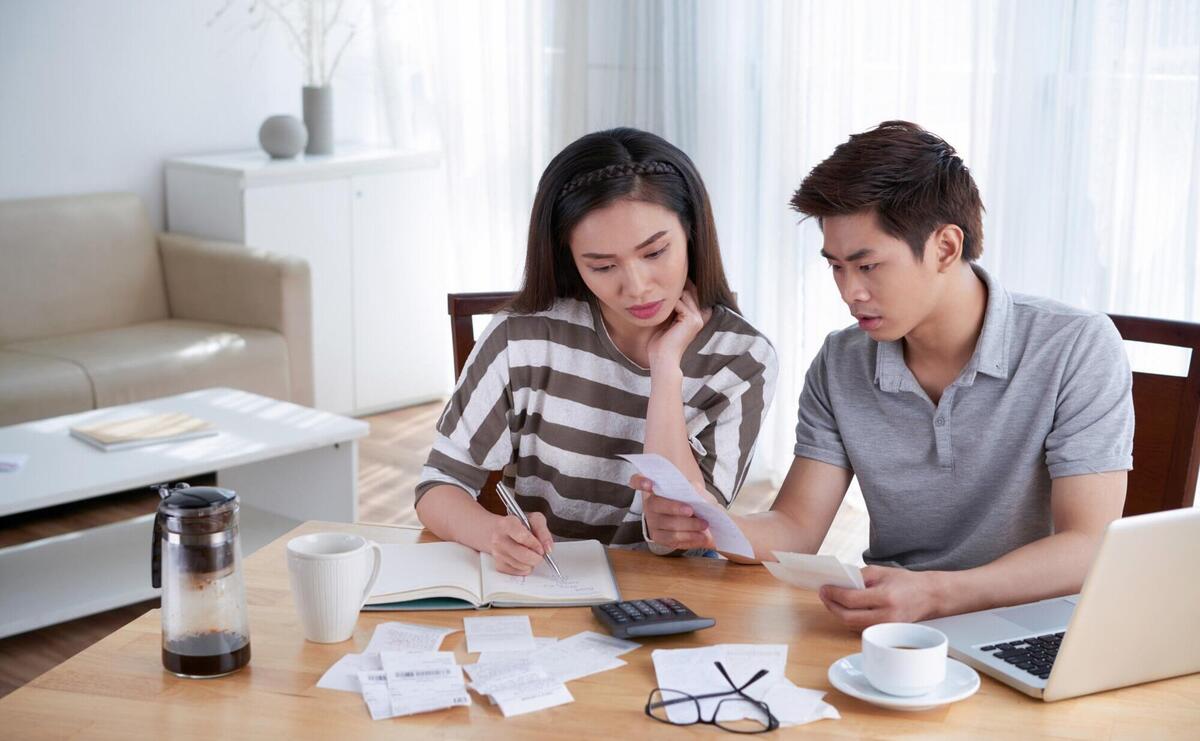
x=197, y=562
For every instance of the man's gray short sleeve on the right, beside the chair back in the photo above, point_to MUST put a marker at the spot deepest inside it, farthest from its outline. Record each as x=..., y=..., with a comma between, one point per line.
x=1094, y=420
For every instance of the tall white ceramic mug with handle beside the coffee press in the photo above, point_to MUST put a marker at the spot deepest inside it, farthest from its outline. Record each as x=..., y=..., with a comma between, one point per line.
x=332, y=577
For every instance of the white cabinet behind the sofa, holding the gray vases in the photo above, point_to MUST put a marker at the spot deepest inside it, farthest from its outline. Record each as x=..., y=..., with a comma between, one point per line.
x=371, y=225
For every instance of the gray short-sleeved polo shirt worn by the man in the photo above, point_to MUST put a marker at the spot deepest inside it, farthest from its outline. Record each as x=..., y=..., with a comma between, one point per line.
x=957, y=485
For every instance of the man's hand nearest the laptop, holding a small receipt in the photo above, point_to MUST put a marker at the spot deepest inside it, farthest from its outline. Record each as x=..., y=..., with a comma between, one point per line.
x=892, y=595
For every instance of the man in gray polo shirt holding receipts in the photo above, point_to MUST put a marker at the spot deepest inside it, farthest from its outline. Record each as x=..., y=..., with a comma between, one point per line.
x=991, y=432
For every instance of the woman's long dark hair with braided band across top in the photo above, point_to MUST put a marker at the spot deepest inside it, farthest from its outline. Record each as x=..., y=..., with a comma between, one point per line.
x=595, y=172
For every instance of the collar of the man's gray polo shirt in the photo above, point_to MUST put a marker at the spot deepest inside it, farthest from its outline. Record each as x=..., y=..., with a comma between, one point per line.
x=992, y=351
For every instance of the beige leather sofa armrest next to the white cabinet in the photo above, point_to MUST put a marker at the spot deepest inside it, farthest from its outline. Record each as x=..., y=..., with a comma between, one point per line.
x=229, y=284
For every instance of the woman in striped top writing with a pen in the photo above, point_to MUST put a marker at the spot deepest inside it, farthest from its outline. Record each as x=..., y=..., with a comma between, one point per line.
x=625, y=339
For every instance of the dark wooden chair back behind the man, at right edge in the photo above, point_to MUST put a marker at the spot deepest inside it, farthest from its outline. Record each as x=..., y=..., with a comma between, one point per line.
x=1167, y=411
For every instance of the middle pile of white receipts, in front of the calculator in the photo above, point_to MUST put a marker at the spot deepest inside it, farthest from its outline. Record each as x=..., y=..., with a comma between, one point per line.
x=533, y=676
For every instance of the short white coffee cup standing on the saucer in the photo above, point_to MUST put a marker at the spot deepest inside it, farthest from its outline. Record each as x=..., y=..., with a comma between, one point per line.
x=903, y=659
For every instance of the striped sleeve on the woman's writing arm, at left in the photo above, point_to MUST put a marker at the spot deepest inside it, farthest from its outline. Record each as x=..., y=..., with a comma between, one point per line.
x=473, y=432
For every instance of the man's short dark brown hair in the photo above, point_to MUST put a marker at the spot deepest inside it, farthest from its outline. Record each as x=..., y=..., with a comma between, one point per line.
x=911, y=179
